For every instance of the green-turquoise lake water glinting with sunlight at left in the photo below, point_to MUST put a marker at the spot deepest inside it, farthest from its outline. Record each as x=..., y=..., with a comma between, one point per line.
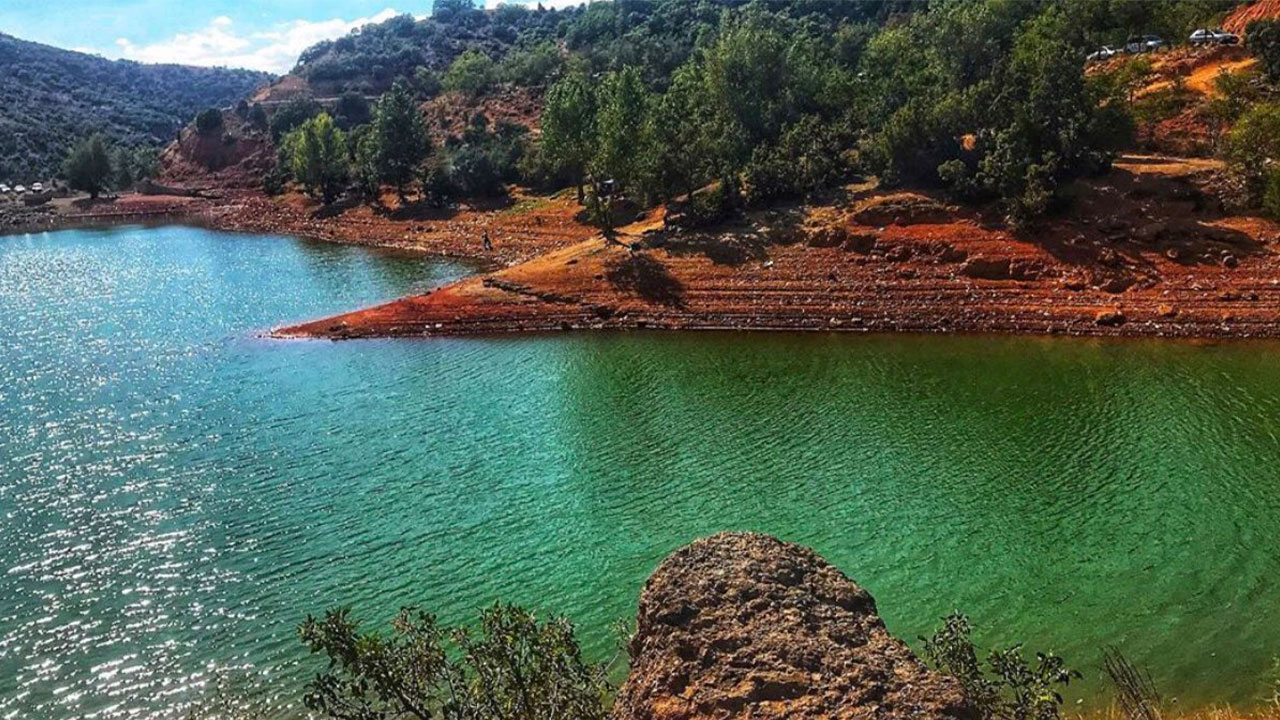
x=177, y=494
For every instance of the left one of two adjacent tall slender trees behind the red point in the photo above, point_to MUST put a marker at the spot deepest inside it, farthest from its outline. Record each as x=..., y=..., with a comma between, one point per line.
x=569, y=127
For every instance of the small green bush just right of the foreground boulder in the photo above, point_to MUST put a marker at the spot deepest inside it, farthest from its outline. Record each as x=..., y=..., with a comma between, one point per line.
x=1007, y=687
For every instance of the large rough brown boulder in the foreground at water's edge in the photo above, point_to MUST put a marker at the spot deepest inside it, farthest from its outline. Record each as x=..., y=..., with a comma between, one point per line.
x=747, y=626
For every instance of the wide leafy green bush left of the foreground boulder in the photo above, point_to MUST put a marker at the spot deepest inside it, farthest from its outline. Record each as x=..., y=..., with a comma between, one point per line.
x=513, y=666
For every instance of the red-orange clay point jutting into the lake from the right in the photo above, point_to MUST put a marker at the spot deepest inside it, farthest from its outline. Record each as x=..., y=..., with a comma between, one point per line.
x=1146, y=252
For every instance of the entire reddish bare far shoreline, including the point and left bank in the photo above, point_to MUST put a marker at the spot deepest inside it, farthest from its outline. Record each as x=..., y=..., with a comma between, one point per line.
x=1146, y=254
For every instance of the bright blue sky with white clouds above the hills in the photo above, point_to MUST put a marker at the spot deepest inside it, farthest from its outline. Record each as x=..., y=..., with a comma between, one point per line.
x=263, y=35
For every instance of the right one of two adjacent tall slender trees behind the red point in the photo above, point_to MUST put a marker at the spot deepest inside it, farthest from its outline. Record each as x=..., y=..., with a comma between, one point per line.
x=624, y=107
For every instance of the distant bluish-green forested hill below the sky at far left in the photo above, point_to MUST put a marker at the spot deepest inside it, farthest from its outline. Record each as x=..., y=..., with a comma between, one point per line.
x=52, y=98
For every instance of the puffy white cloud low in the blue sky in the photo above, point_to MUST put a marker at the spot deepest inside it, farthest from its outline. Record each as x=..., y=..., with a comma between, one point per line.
x=222, y=43
